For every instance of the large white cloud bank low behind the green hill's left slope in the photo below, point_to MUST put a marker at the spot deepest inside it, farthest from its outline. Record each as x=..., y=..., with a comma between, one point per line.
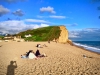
x=15, y=26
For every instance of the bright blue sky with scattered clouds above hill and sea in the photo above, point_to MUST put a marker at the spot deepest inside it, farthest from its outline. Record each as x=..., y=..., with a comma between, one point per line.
x=80, y=17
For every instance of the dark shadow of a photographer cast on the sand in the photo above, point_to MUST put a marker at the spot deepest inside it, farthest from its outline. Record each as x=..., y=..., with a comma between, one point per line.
x=11, y=68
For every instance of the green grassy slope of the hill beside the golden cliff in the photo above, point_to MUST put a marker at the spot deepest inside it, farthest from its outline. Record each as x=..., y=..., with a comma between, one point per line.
x=42, y=34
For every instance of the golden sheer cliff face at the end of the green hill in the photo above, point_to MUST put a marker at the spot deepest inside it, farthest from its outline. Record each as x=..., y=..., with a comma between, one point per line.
x=63, y=35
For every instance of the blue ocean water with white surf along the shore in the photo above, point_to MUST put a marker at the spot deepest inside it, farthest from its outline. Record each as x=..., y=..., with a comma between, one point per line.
x=89, y=45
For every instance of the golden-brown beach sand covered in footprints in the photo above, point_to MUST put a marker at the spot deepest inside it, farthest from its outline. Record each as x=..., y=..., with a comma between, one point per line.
x=62, y=59
